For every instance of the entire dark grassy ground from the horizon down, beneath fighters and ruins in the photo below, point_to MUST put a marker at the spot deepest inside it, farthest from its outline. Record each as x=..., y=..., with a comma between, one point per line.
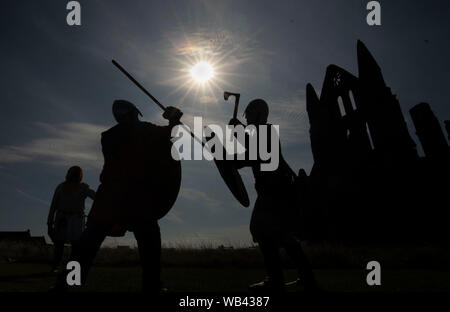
x=338, y=268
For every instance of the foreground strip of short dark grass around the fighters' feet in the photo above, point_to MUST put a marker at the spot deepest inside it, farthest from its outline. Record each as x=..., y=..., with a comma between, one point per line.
x=25, y=277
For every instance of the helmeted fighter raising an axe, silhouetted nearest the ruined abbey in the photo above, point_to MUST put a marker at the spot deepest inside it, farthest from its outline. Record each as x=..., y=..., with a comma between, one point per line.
x=274, y=220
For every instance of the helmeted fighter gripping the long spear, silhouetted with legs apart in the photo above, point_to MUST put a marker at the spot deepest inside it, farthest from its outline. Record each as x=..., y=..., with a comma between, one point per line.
x=136, y=154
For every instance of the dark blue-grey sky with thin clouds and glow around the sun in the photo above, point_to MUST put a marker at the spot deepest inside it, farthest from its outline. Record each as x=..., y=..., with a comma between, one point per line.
x=58, y=86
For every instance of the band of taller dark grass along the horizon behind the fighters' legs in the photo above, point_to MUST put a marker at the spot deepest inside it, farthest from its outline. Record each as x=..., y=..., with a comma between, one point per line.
x=322, y=255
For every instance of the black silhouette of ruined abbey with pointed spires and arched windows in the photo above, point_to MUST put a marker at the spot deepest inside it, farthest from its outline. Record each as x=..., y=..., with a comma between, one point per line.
x=368, y=181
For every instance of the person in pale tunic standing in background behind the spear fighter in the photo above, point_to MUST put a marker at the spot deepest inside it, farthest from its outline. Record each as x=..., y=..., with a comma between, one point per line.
x=66, y=217
